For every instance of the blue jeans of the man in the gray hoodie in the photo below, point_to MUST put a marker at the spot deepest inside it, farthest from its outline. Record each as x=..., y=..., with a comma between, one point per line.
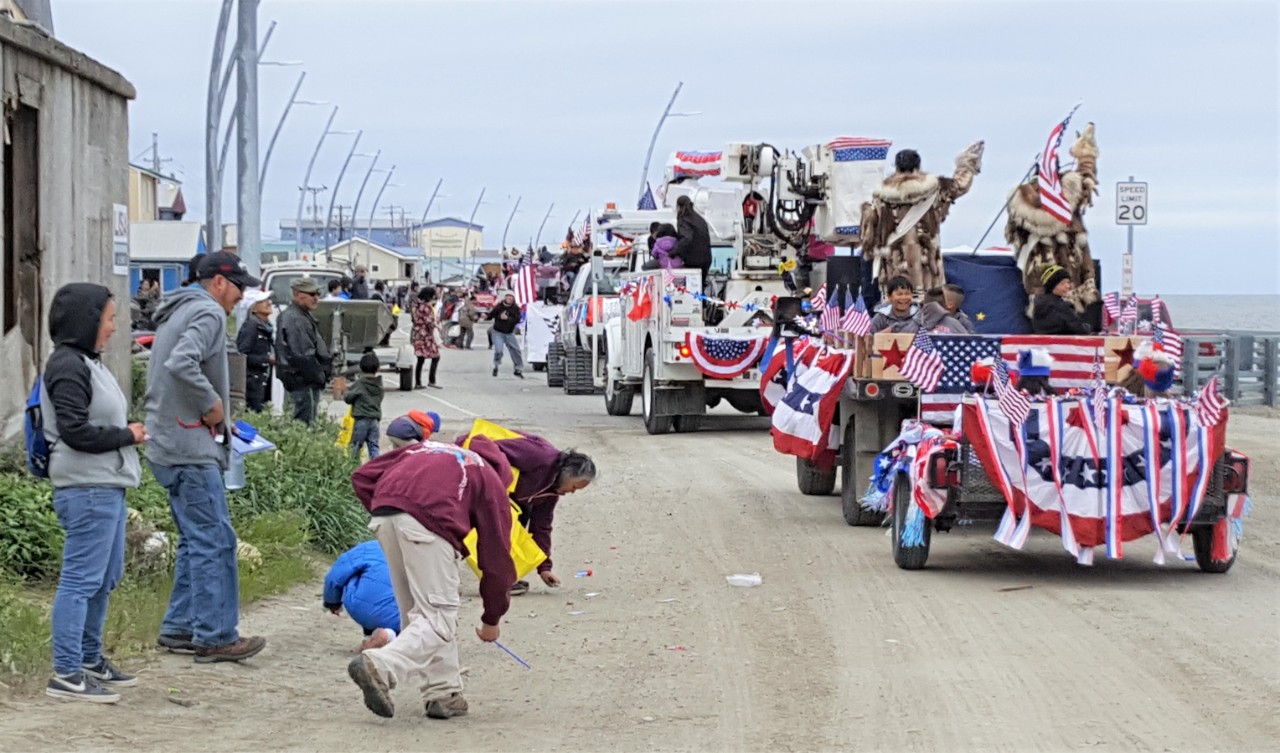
x=205, y=600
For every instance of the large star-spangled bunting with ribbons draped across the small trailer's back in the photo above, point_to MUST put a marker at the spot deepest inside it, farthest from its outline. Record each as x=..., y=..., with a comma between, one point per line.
x=1094, y=490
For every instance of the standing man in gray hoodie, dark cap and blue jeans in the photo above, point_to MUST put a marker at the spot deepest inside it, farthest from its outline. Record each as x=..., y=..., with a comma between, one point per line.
x=189, y=404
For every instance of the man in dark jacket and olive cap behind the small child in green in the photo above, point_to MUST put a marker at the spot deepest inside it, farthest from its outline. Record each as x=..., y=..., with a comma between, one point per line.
x=303, y=357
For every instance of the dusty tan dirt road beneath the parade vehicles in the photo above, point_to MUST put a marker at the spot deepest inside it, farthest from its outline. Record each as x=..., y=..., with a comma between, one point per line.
x=988, y=650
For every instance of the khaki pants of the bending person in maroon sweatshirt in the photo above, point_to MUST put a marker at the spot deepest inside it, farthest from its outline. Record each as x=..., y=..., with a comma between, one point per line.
x=424, y=571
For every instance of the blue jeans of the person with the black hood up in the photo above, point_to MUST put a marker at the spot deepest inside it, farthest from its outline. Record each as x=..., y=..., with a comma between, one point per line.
x=93, y=565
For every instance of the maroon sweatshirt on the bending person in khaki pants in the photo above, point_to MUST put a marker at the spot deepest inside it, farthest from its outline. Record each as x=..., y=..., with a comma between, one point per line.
x=451, y=491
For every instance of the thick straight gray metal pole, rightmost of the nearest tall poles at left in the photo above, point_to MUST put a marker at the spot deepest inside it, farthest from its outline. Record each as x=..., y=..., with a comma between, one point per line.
x=249, y=200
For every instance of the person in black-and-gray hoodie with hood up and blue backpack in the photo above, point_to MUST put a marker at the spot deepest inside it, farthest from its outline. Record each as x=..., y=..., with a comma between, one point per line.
x=92, y=463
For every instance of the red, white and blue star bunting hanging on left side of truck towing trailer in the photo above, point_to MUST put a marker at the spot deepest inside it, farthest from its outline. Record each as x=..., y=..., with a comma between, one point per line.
x=803, y=419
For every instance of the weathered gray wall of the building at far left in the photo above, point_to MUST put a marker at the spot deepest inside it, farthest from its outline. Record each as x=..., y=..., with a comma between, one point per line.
x=84, y=170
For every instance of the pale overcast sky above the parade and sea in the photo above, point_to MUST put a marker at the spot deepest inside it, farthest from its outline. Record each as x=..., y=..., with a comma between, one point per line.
x=556, y=103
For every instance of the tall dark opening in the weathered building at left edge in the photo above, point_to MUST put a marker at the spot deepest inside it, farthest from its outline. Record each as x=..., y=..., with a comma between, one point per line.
x=22, y=223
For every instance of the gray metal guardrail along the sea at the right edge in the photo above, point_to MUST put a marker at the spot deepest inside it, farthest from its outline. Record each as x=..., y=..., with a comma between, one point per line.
x=1249, y=364
